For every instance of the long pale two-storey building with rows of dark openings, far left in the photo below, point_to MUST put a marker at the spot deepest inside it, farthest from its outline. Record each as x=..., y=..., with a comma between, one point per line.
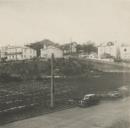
x=17, y=53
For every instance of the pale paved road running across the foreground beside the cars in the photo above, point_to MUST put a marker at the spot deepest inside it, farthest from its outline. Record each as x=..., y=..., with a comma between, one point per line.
x=100, y=116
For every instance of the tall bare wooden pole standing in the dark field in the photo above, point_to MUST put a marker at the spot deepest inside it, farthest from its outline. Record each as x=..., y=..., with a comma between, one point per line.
x=52, y=81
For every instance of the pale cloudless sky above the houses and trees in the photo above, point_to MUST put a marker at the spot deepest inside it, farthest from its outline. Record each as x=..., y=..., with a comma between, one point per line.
x=62, y=21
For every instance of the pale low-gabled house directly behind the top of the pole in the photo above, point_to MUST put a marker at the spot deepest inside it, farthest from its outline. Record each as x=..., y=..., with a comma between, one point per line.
x=47, y=51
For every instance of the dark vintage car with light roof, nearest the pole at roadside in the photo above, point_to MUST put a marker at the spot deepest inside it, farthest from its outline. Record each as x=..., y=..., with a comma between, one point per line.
x=88, y=100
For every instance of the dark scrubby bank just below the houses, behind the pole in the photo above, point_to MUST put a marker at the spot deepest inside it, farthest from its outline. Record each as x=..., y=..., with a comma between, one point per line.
x=36, y=69
